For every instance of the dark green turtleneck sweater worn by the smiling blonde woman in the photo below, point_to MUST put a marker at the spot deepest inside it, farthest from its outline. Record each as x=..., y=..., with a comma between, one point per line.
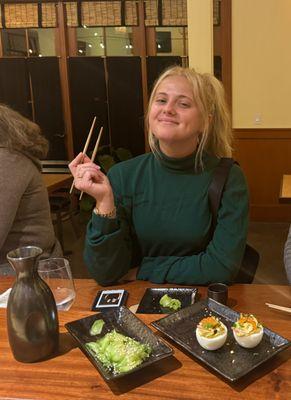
x=163, y=224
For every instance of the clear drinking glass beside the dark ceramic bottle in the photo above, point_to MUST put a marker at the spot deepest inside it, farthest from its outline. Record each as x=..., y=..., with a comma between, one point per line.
x=56, y=272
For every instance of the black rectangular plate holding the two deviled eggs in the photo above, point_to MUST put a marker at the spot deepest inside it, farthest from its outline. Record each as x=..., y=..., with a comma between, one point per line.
x=231, y=360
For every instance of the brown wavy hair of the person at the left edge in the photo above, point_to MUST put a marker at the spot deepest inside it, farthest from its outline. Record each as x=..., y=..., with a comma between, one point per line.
x=21, y=134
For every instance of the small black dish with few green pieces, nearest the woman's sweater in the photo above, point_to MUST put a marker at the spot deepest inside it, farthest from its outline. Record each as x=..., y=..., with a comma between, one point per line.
x=150, y=302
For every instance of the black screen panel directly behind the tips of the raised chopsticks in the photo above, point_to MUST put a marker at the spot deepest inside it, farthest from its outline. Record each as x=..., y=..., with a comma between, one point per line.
x=88, y=98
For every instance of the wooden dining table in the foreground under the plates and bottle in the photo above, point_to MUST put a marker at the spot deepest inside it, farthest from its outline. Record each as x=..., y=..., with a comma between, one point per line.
x=70, y=374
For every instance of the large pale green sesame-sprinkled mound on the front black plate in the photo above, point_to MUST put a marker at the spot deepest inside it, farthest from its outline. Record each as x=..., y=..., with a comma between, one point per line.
x=119, y=353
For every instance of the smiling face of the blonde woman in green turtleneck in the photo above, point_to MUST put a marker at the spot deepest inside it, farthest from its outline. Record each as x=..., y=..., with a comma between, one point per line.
x=174, y=118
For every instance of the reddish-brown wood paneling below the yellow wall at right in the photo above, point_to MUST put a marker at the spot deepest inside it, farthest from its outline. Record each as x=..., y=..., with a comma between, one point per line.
x=265, y=156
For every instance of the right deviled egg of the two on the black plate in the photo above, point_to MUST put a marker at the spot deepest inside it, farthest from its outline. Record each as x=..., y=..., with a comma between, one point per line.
x=247, y=331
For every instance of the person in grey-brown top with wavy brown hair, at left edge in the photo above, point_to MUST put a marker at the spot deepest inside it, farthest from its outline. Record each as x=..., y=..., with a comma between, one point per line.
x=25, y=212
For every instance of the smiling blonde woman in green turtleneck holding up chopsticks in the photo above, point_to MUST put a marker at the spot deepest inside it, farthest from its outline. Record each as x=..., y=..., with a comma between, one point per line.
x=153, y=210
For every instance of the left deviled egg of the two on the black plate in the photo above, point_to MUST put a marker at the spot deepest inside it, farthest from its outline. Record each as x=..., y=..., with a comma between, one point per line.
x=211, y=333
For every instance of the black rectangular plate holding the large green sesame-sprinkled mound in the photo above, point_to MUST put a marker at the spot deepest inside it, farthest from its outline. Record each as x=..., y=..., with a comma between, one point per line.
x=123, y=321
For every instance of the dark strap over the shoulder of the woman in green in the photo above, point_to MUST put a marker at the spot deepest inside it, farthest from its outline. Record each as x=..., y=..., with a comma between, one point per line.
x=216, y=186
